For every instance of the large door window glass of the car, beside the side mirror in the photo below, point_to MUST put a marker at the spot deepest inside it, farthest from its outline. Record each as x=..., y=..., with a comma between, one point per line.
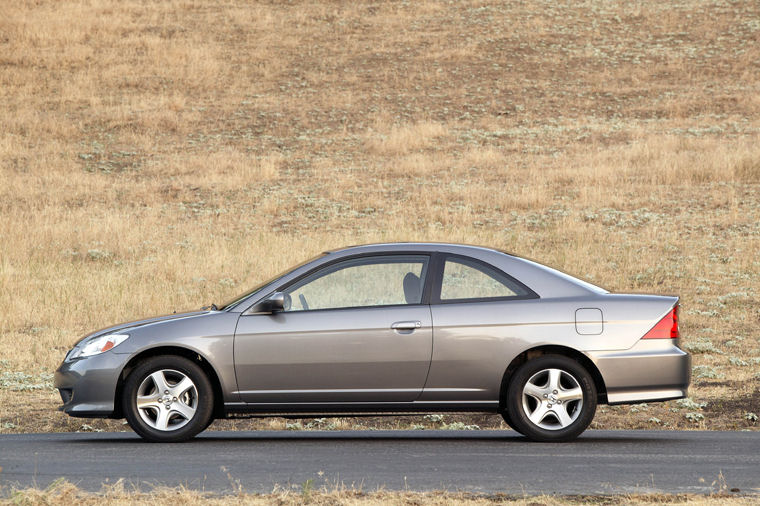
x=369, y=281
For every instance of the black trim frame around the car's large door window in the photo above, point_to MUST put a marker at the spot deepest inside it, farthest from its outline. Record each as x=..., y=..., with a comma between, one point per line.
x=428, y=272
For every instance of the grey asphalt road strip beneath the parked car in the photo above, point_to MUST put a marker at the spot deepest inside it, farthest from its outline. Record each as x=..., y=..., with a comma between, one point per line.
x=599, y=462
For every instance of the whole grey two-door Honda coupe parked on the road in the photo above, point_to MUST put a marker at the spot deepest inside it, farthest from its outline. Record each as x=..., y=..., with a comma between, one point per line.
x=388, y=329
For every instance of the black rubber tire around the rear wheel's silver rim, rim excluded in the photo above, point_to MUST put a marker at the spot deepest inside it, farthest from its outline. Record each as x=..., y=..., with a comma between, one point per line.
x=520, y=418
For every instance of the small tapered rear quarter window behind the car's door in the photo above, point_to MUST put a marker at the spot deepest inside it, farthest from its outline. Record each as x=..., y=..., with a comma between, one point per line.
x=463, y=279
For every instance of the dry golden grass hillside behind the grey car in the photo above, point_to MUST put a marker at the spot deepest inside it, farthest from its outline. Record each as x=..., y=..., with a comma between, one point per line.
x=158, y=156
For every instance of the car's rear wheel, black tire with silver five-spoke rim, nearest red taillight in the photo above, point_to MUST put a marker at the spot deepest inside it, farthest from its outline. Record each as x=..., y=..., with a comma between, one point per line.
x=551, y=398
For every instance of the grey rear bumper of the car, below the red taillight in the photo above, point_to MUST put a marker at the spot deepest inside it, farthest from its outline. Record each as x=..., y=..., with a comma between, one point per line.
x=652, y=370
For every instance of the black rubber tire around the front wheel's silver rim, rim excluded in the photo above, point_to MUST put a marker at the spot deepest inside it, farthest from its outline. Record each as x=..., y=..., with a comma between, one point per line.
x=203, y=413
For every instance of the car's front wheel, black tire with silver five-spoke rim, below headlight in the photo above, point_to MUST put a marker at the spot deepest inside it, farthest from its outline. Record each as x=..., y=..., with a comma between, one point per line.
x=182, y=407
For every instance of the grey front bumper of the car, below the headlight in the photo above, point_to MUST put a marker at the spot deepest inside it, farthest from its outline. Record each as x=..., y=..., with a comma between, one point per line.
x=88, y=385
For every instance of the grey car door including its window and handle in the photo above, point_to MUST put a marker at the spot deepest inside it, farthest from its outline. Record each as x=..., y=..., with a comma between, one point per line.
x=353, y=331
